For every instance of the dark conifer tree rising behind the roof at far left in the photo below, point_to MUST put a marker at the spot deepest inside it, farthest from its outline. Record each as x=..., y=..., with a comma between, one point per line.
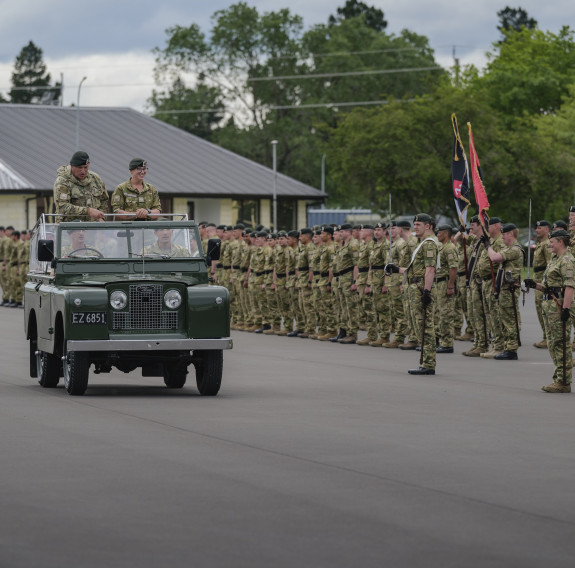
x=30, y=76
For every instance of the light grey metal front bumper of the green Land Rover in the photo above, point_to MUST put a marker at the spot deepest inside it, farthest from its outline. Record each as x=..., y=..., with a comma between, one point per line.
x=149, y=344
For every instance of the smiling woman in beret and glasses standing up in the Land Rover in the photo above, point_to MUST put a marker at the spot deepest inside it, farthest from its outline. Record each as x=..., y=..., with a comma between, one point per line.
x=136, y=199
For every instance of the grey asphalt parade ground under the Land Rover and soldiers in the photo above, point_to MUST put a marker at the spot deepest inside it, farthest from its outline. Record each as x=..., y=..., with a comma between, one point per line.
x=312, y=455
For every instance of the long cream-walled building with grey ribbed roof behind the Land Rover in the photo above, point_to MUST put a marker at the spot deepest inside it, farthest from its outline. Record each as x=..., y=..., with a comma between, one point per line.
x=192, y=175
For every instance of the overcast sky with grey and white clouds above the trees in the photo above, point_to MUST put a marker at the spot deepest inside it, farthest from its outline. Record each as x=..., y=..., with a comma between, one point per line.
x=110, y=41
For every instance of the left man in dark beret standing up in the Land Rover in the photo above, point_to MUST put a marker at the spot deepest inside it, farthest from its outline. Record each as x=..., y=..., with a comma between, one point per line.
x=80, y=194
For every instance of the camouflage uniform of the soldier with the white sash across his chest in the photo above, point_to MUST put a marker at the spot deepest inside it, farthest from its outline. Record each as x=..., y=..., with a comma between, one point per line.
x=425, y=256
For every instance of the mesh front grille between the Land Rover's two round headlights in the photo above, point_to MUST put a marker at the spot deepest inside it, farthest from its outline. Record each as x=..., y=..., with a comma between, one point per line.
x=145, y=305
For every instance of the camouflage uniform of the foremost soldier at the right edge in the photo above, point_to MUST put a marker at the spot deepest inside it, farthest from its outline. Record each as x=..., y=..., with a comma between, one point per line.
x=558, y=274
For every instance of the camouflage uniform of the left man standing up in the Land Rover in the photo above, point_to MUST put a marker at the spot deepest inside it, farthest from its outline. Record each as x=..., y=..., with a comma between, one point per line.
x=73, y=197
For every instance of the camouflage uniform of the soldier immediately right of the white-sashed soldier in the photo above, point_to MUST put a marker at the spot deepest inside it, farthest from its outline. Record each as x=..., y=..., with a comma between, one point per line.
x=445, y=304
